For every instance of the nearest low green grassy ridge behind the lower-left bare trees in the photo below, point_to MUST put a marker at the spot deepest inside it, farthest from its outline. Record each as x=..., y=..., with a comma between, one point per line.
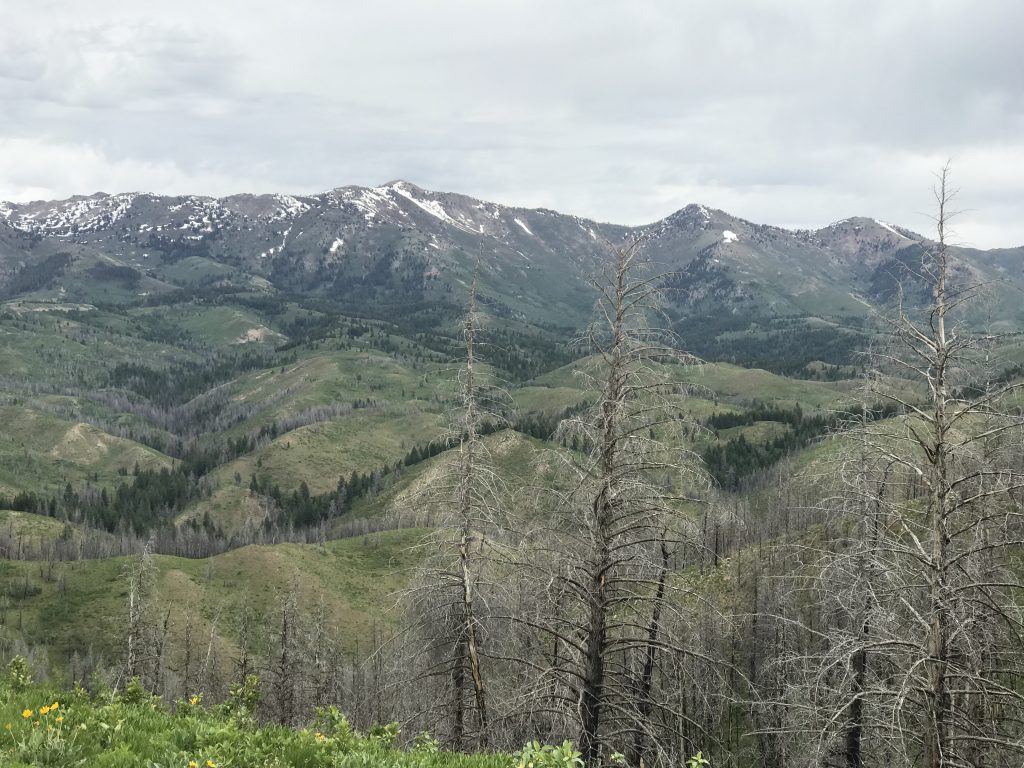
x=78, y=606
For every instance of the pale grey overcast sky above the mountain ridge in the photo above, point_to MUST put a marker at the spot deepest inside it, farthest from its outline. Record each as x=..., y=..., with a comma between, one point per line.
x=795, y=113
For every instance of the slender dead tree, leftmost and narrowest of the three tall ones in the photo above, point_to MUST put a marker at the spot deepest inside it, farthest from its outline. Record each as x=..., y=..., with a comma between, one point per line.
x=448, y=605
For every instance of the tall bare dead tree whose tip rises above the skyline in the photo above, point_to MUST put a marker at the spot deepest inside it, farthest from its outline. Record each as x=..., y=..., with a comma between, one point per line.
x=922, y=665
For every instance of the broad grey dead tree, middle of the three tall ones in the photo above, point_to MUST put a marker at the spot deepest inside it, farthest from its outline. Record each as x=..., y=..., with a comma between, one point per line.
x=602, y=560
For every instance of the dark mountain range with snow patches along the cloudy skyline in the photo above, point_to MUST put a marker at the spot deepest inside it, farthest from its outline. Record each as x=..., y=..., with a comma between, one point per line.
x=737, y=287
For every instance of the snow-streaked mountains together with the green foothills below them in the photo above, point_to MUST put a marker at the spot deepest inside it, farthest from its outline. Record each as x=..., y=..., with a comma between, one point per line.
x=262, y=387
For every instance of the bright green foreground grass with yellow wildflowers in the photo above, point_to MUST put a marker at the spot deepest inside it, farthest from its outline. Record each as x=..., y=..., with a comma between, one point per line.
x=46, y=727
